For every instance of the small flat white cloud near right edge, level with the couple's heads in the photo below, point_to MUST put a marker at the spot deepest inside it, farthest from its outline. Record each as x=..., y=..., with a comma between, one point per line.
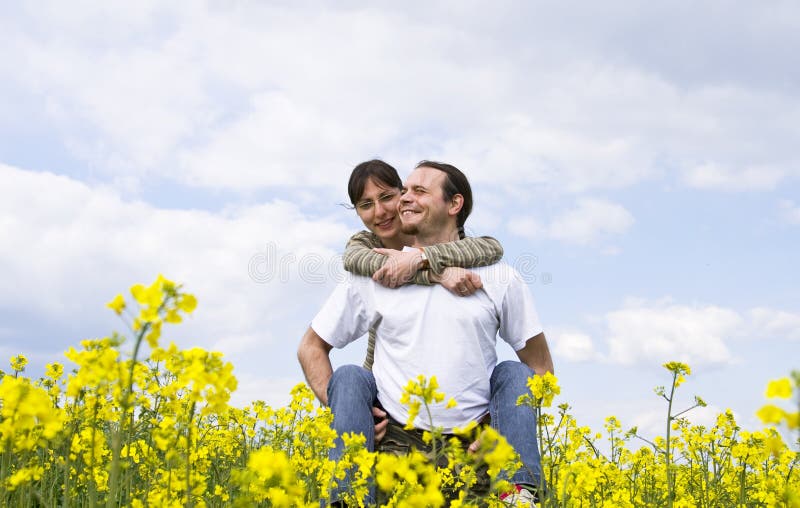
x=711, y=176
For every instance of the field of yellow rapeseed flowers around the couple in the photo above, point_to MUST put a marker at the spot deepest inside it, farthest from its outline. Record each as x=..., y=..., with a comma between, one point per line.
x=129, y=422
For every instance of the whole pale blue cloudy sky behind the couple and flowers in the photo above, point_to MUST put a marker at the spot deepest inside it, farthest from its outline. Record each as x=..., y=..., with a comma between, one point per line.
x=637, y=161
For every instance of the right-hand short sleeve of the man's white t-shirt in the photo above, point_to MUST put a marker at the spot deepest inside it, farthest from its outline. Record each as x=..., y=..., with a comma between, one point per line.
x=519, y=320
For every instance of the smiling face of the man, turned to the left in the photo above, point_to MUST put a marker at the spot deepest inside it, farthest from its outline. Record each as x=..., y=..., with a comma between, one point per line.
x=423, y=209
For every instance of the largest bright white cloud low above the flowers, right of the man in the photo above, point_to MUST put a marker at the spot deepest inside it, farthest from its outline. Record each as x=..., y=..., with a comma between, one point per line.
x=663, y=331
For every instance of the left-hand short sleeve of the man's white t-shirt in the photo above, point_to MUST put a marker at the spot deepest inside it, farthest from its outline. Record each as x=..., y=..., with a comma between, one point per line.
x=343, y=318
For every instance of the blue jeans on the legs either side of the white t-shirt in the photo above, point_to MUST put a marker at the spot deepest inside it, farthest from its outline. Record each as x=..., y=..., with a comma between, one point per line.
x=352, y=393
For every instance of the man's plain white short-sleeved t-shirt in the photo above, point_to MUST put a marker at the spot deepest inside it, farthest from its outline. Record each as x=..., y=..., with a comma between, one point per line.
x=428, y=330
